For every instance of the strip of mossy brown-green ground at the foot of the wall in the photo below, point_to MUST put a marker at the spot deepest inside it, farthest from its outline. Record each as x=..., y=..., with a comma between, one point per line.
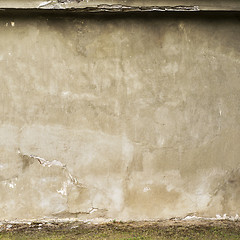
x=119, y=230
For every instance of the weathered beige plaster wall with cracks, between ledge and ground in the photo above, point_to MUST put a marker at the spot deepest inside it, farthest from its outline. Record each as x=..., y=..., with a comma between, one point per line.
x=114, y=117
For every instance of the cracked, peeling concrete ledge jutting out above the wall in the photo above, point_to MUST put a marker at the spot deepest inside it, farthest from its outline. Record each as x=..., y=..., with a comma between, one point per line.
x=125, y=5
